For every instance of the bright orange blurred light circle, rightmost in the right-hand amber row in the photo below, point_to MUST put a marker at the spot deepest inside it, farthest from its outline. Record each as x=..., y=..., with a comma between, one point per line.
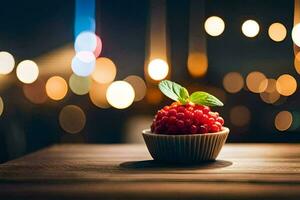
x=286, y=85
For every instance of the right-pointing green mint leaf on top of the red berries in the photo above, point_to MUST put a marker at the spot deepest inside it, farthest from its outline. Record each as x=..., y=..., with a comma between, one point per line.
x=206, y=99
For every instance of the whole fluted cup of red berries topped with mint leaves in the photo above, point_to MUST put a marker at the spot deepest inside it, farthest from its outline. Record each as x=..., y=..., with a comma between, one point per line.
x=187, y=131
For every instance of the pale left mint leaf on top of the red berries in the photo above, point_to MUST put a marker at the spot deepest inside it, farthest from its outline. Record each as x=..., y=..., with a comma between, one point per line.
x=173, y=91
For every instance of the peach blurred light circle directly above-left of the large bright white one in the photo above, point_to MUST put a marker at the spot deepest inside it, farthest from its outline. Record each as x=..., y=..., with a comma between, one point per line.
x=105, y=70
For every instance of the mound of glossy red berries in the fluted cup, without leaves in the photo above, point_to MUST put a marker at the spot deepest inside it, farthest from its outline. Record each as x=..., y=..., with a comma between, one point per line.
x=186, y=119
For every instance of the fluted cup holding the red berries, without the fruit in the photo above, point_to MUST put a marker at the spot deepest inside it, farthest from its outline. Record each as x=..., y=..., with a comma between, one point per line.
x=185, y=148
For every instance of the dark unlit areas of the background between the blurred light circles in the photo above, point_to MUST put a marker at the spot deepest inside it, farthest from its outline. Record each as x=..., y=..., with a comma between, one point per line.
x=30, y=28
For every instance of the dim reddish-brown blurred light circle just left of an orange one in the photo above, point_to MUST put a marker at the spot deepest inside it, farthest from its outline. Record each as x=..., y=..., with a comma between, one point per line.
x=36, y=92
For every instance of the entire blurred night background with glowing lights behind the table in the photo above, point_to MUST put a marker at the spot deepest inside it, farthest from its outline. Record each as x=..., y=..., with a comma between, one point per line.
x=86, y=71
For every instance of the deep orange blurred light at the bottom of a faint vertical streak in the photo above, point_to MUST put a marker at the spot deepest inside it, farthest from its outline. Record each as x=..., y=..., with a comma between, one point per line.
x=197, y=64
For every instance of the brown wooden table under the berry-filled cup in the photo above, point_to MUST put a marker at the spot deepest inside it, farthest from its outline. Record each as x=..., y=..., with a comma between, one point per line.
x=243, y=171
